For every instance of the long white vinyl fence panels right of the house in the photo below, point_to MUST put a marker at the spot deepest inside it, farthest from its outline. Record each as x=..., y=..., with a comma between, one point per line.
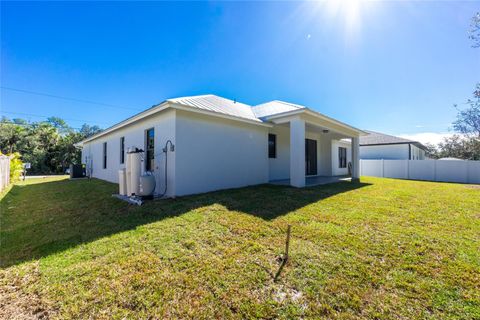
x=462, y=171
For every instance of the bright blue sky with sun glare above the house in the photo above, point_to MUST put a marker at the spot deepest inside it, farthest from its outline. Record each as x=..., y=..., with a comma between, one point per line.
x=396, y=67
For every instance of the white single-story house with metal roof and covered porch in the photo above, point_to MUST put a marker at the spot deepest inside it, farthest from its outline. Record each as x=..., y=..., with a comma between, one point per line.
x=214, y=143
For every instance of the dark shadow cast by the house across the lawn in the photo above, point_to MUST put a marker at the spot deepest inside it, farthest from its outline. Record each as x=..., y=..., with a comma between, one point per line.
x=44, y=218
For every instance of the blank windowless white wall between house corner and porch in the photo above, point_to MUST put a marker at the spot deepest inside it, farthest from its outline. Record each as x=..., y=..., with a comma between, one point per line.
x=213, y=154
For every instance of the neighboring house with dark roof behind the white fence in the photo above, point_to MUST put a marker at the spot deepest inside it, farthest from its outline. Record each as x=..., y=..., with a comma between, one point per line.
x=377, y=145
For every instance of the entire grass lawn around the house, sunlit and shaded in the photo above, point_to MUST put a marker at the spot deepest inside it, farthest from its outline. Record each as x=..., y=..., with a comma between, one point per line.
x=382, y=248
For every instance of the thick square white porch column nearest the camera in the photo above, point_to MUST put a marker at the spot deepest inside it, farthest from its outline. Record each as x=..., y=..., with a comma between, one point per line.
x=297, y=152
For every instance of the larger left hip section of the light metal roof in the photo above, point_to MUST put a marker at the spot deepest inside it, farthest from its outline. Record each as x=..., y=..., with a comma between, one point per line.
x=218, y=104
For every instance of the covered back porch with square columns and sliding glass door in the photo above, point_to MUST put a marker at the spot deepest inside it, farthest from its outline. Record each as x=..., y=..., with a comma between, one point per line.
x=312, y=149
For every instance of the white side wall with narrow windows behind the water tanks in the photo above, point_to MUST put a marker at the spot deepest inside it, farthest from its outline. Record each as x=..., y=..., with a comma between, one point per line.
x=164, y=124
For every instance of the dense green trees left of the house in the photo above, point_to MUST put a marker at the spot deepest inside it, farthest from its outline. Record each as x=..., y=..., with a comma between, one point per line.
x=49, y=146
